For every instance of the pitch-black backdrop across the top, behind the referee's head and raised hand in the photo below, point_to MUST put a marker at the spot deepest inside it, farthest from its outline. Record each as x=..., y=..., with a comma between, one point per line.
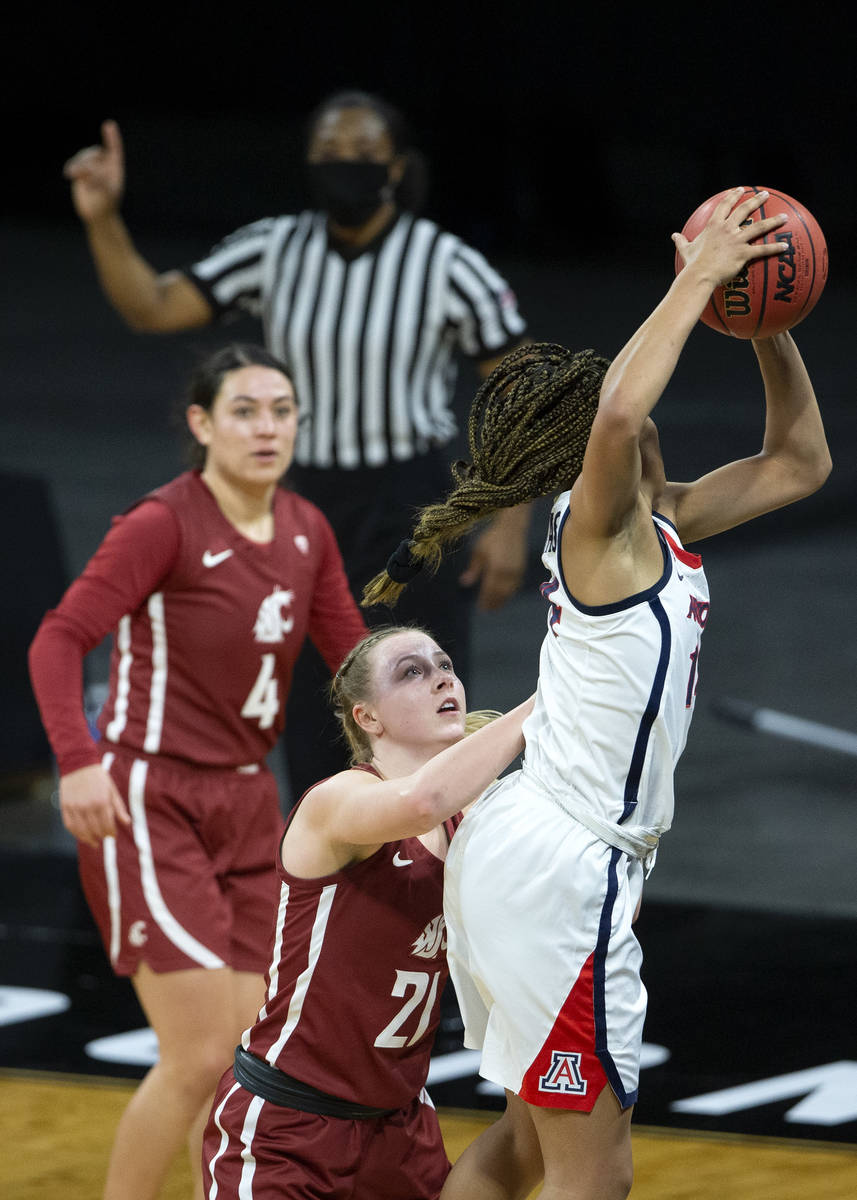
x=553, y=129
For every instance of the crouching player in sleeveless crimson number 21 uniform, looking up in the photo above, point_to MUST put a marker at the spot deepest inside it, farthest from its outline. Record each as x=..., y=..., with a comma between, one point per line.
x=327, y=1094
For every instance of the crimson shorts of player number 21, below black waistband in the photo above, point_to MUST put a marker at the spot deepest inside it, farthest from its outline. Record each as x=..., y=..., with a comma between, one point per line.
x=262, y=1151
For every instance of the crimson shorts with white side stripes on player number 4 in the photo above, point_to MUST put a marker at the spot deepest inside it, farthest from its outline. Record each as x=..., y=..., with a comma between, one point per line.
x=193, y=881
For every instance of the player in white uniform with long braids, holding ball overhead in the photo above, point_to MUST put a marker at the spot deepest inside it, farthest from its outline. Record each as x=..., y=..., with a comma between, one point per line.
x=546, y=875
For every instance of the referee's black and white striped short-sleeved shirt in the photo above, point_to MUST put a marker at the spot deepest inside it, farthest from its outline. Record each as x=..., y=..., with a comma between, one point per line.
x=370, y=340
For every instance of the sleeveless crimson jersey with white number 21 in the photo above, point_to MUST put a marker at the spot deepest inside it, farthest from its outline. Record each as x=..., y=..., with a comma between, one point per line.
x=358, y=969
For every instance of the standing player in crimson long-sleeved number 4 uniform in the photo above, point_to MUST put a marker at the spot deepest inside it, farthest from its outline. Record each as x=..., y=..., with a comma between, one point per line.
x=211, y=585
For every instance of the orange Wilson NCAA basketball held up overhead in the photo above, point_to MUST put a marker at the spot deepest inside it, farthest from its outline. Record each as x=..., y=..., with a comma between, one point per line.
x=771, y=295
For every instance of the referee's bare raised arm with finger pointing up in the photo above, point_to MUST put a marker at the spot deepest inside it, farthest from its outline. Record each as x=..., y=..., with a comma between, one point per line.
x=146, y=299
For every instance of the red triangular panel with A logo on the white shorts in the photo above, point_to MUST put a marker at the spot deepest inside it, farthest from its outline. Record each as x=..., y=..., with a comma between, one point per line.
x=567, y=1073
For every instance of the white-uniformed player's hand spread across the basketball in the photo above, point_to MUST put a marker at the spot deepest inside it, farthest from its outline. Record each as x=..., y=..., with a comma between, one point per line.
x=730, y=239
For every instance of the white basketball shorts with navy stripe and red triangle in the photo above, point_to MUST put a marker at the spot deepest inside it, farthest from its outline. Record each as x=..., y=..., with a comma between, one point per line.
x=542, y=952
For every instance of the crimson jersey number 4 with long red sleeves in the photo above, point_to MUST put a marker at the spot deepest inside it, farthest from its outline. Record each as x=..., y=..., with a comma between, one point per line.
x=207, y=628
